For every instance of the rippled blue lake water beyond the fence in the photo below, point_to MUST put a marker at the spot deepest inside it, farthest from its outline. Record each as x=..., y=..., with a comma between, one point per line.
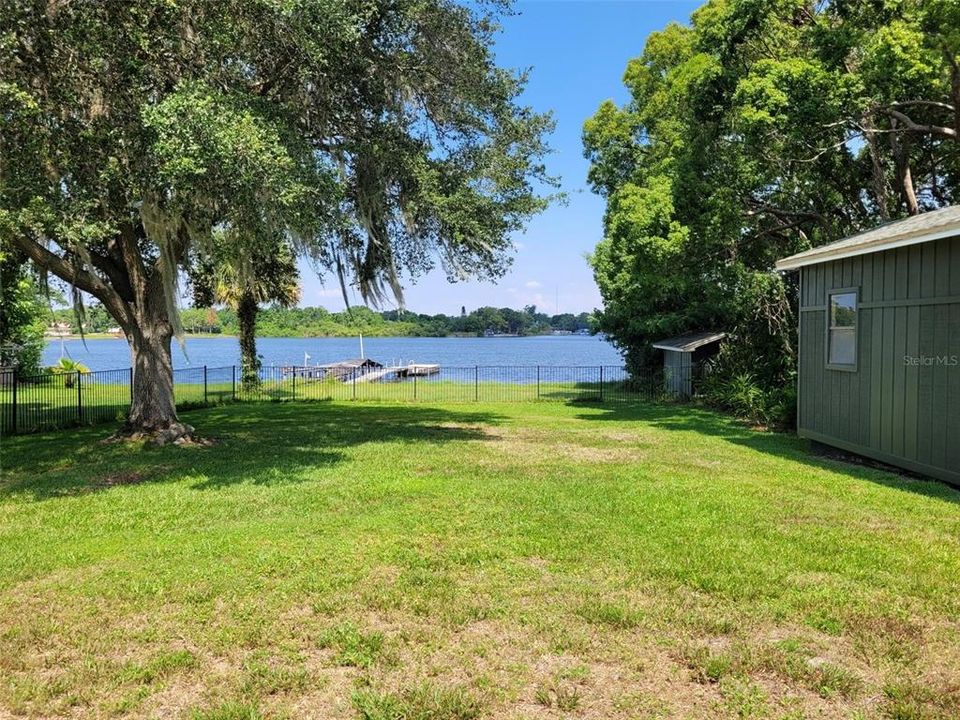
x=111, y=353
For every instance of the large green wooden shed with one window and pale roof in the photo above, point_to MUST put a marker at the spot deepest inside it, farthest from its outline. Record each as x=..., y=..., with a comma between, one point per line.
x=879, y=343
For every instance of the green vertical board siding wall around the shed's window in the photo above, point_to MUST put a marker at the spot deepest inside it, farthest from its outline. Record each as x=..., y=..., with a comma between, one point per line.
x=889, y=405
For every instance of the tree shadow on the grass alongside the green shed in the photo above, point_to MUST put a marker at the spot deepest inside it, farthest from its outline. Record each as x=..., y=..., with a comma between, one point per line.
x=690, y=418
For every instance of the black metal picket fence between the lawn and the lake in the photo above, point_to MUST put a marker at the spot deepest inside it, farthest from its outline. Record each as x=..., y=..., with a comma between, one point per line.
x=50, y=401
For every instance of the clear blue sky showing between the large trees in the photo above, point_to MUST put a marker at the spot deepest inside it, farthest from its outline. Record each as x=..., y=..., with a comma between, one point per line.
x=578, y=51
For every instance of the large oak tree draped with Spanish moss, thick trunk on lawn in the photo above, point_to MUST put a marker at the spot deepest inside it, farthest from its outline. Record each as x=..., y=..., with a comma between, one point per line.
x=379, y=138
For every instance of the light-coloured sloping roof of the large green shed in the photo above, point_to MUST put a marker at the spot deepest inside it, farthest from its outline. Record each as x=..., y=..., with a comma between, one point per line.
x=921, y=228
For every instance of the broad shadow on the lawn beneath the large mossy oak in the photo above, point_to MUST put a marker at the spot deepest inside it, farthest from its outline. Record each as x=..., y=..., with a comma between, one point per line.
x=264, y=443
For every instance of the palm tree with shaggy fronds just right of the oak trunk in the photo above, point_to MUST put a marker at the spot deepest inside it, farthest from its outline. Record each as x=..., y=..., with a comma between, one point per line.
x=244, y=283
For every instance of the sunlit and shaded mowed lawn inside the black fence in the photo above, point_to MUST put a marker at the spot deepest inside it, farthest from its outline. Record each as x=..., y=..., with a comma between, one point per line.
x=539, y=560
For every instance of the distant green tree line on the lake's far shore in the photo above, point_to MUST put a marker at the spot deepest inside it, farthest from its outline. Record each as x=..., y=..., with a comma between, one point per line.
x=276, y=321
